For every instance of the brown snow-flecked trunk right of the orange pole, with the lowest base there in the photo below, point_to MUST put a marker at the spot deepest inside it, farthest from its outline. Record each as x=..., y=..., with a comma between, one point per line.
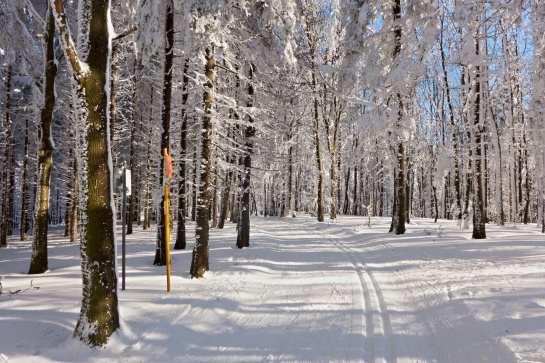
x=199, y=261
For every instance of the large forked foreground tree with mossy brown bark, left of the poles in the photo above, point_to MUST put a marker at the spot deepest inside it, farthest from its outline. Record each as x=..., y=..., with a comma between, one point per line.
x=99, y=316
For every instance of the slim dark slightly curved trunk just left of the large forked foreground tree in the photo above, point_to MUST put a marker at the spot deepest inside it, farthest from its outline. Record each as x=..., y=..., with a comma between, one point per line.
x=38, y=262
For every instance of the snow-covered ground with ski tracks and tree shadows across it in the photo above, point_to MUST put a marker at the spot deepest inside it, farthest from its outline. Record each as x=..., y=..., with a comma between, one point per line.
x=303, y=292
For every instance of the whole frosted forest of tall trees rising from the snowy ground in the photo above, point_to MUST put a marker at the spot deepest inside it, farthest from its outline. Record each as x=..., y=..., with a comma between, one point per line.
x=398, y=109
